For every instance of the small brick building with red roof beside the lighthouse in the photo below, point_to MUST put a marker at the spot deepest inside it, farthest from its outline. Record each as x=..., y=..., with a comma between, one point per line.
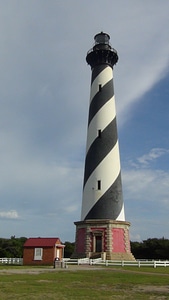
x=42, y=251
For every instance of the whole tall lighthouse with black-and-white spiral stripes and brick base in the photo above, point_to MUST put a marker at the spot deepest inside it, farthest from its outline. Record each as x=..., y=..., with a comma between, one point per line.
x=102, y=231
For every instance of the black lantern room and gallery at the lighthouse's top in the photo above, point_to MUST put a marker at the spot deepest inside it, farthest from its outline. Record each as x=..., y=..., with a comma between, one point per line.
x=102, y=52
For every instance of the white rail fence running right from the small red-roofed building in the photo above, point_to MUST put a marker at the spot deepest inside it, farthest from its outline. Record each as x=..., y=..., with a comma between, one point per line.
x=99, y=261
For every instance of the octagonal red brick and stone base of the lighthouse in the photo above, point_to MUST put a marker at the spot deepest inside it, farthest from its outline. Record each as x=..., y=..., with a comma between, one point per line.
x=108, y=239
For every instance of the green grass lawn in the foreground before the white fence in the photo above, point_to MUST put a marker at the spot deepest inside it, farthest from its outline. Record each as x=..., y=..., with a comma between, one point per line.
x=78, y=283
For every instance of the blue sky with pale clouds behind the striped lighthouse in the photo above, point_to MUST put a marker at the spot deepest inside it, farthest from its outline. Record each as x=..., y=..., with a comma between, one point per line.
x=44, y=101
